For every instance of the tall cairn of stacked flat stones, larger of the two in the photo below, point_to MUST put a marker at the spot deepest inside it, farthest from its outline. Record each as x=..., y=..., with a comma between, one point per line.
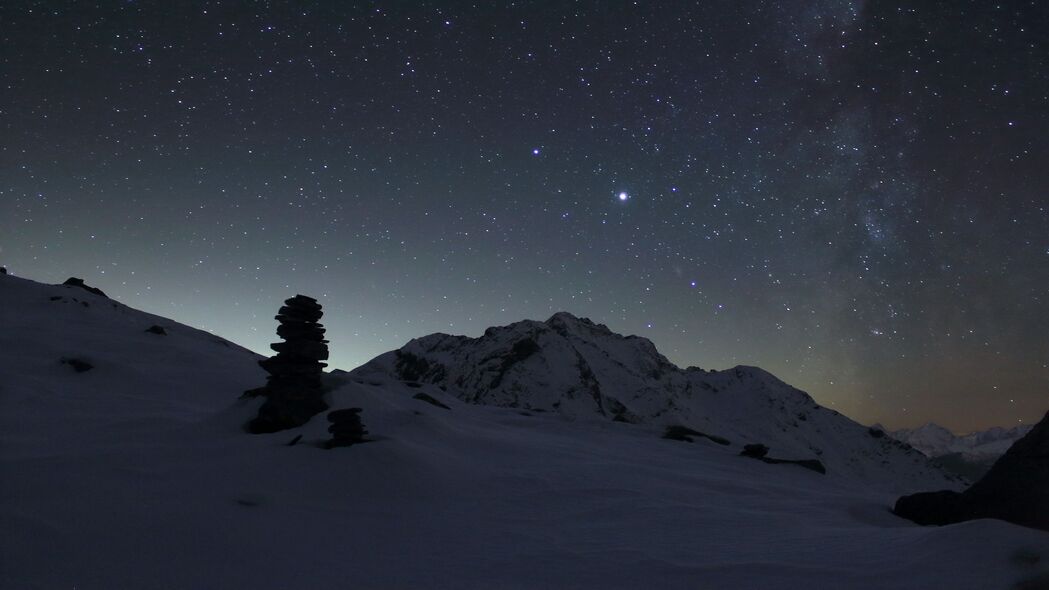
x=293, y=392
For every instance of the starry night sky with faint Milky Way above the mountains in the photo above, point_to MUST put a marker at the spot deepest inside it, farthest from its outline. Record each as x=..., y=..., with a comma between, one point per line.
x=853, y=196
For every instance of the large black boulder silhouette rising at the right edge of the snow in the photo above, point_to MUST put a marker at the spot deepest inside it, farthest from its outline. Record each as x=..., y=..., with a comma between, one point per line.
x=1015, y=490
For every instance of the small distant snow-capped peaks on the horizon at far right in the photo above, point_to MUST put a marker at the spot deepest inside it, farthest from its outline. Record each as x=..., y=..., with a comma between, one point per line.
x=934, y=440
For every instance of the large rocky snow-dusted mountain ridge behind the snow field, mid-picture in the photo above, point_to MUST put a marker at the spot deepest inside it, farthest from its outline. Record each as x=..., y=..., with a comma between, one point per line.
x=583, y=370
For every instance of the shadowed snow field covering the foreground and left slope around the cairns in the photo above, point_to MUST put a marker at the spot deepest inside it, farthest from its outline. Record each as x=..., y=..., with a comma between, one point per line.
x=137, y=475
